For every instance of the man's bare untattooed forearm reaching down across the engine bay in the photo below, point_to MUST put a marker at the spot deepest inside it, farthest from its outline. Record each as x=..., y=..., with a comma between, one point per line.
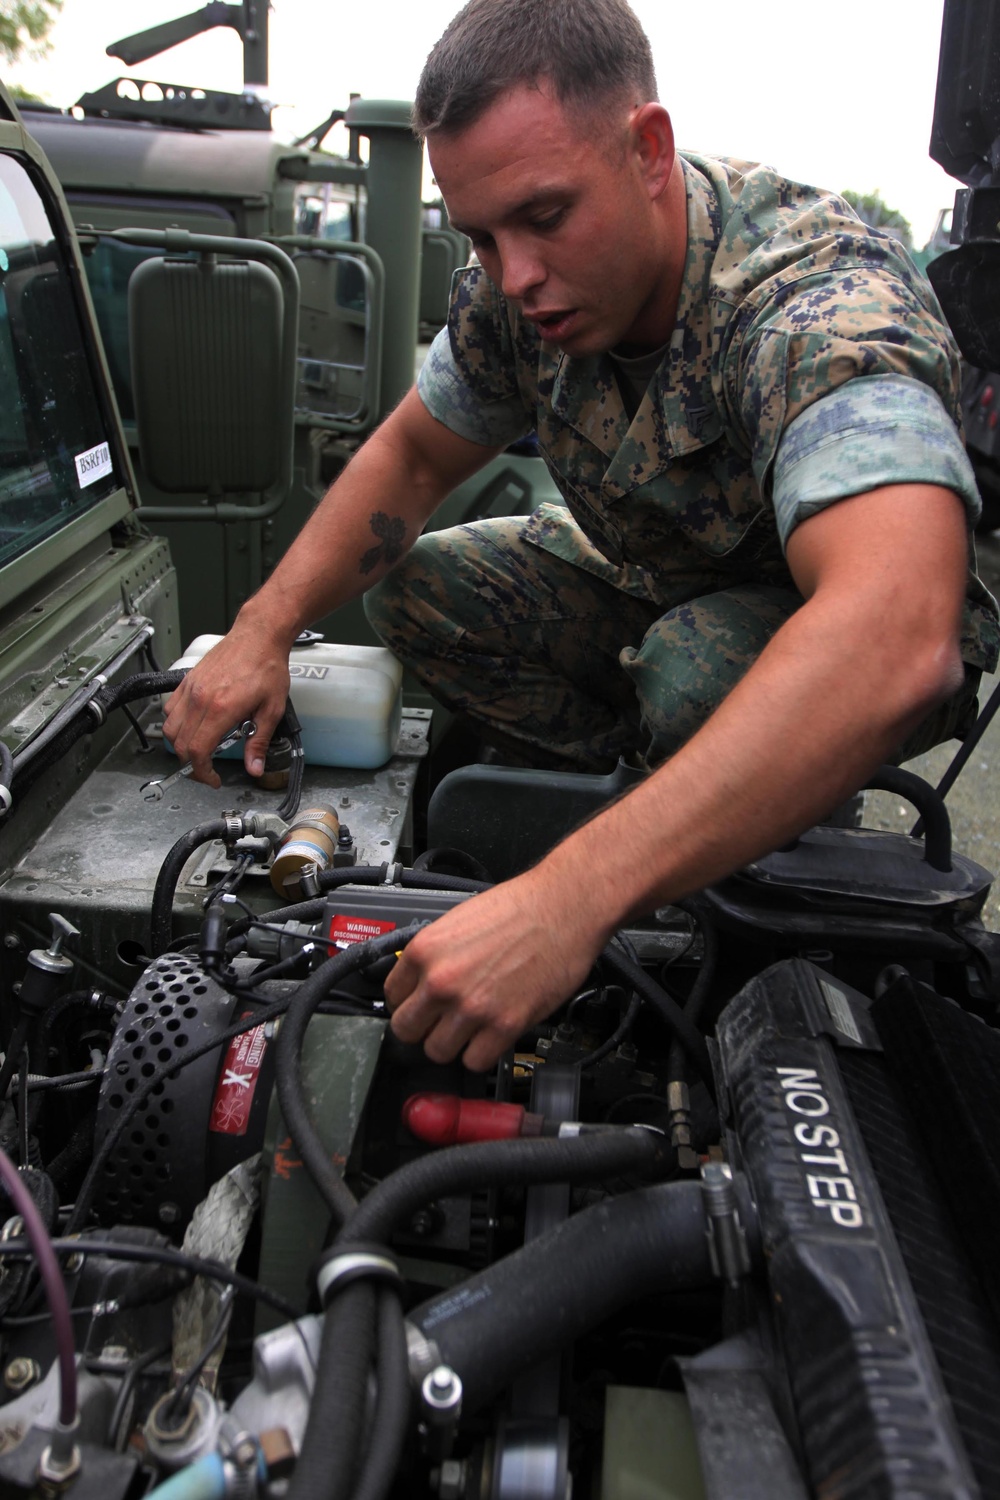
x=809, y=724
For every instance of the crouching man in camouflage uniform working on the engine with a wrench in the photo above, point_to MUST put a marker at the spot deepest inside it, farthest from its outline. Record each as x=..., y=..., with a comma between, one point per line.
x=762, y=572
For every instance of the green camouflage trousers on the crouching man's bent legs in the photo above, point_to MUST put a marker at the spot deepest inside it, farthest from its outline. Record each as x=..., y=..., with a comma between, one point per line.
x=561, y=670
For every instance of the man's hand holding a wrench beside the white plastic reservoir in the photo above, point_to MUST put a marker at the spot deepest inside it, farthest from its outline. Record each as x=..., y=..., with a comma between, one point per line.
x=244, y=677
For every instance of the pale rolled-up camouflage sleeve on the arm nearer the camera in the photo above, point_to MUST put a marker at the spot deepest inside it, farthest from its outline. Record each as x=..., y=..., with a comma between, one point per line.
x=882, y=430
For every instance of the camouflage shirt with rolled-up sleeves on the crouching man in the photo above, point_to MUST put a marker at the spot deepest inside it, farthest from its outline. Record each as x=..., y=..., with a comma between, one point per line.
x=755, y=418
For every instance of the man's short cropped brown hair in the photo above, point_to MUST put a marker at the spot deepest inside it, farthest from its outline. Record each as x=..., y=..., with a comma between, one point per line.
x=590, y=50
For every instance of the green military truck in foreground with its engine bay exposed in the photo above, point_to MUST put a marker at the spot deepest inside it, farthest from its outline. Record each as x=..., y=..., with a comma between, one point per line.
x=723, y=1226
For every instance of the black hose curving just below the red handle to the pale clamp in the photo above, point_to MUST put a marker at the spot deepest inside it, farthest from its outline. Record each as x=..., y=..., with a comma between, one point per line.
x=499, y=1163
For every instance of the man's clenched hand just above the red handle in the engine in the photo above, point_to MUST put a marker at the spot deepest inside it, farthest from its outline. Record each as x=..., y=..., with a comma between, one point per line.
x=485, y=973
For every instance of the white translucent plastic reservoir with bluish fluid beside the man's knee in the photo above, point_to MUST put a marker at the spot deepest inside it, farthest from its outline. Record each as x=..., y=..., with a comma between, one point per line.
x=349, y=701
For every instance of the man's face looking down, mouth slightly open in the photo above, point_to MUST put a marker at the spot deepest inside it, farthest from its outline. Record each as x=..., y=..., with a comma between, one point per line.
x=564, y=224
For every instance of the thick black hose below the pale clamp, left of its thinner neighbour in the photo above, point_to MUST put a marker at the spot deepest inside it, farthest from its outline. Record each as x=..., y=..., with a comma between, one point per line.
x=329, y=1459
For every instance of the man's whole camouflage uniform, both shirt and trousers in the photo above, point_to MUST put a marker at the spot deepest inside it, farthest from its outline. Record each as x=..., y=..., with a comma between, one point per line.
x=621, y=620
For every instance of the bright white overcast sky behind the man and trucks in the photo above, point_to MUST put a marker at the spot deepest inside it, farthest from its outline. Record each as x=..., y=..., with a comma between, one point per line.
x=836, y=97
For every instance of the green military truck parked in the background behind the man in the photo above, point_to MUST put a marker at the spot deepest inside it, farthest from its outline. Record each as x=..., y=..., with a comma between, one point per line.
x=374, y=280
